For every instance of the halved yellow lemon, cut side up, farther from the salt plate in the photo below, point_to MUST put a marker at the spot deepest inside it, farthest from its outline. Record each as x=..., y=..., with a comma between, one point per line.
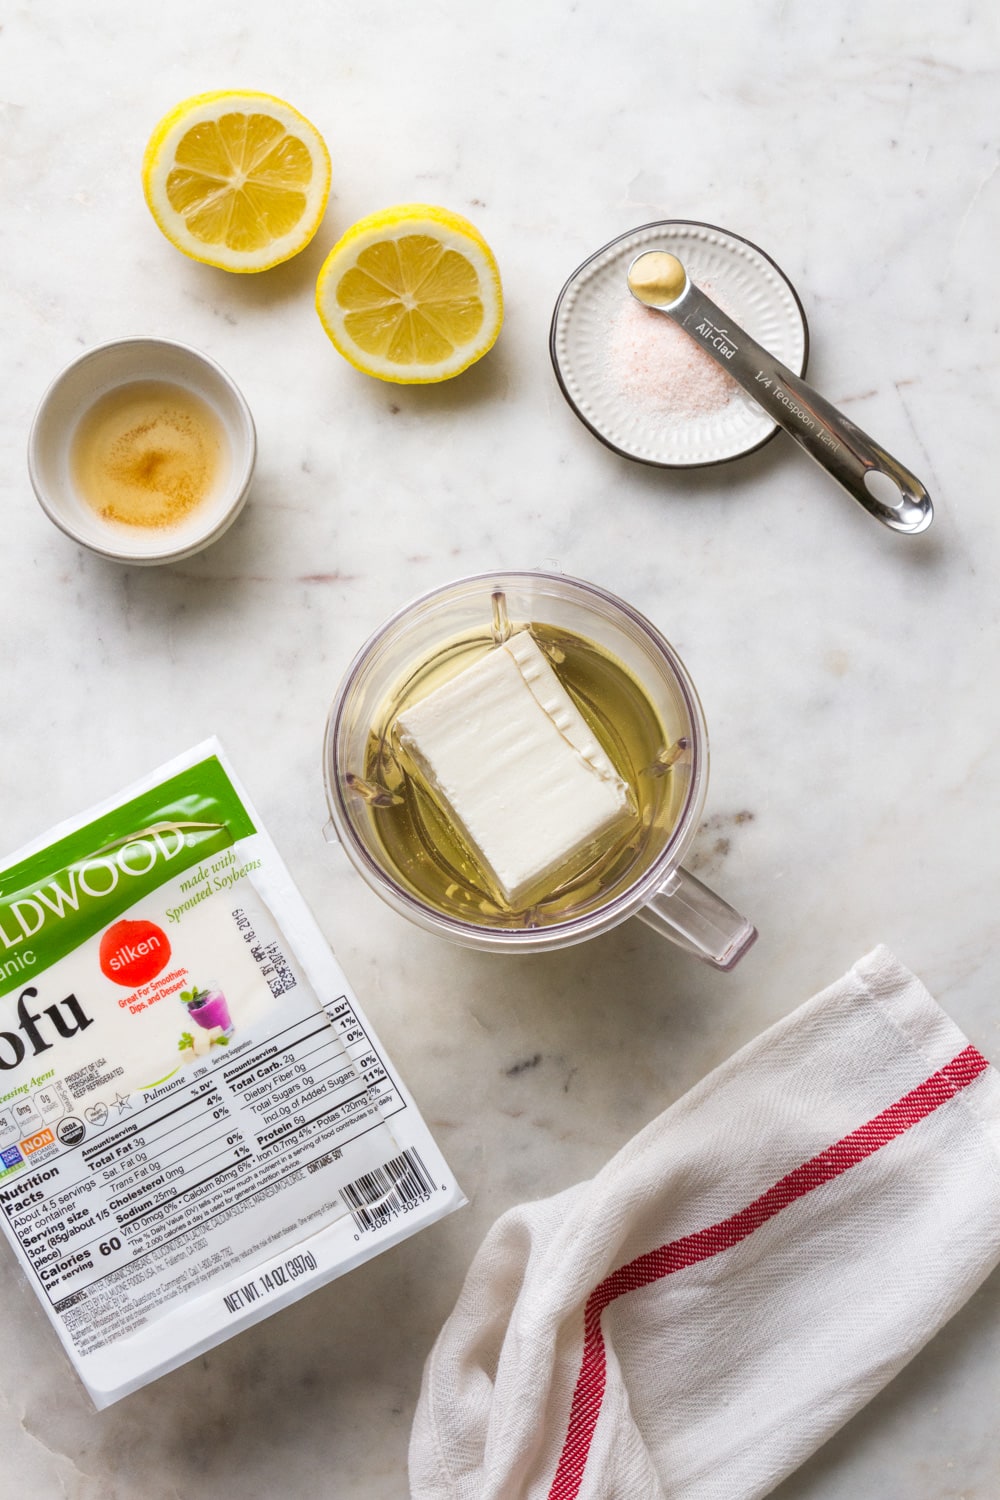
x=239, y=181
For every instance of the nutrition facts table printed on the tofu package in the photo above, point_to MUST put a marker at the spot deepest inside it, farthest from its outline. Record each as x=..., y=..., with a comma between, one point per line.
x=232, y=1162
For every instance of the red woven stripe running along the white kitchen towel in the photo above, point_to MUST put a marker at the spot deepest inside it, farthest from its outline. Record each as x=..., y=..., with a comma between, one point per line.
x=707, y=1243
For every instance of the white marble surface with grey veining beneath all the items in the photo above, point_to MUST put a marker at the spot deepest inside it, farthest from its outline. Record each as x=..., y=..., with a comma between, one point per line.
x=848, y=676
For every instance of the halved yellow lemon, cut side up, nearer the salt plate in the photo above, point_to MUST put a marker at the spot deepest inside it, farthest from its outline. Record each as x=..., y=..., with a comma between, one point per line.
x=412, y=295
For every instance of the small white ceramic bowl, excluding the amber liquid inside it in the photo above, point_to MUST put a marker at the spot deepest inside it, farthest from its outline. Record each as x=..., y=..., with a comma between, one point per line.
x=74, y=394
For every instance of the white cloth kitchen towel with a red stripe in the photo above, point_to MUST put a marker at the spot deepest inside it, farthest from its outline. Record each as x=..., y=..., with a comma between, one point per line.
x=741, y=1277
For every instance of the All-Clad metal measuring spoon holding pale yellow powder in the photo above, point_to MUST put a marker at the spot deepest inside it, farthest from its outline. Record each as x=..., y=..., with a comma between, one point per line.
x=872, y=476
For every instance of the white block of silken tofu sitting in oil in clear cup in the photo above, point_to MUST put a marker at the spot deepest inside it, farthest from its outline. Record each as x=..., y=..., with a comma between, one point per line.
x=507, y=754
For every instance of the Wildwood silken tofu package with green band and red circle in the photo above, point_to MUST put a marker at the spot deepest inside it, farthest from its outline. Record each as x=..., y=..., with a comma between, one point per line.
x=197, y=1121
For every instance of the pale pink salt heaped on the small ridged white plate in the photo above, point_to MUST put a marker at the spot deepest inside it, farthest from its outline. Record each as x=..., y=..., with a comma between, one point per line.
x=660, y=368
